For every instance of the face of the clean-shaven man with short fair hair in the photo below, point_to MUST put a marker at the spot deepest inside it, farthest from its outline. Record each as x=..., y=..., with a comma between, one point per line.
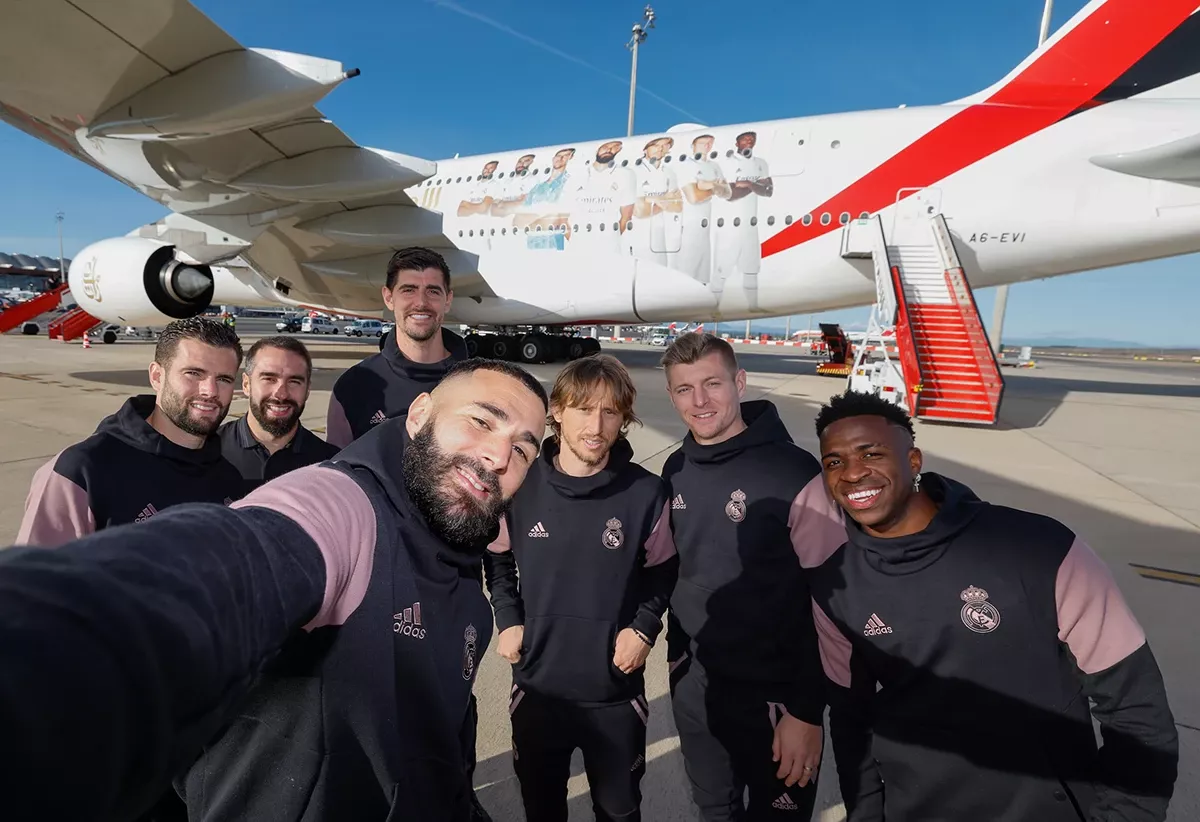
x=707, y=397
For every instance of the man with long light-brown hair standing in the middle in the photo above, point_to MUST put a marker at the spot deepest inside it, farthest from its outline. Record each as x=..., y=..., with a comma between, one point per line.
x=580, y=579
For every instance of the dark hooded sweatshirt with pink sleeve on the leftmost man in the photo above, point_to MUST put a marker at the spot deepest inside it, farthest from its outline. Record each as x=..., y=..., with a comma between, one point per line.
x=127, y=472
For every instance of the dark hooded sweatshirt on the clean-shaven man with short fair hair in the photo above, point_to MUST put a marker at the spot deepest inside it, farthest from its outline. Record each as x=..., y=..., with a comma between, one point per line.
x=741, y=607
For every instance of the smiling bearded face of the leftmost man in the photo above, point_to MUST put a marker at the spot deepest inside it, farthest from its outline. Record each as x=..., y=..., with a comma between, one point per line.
x=196, y=388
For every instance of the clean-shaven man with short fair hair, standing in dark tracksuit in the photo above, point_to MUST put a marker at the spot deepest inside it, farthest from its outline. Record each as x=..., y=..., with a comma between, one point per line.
x=747, y=685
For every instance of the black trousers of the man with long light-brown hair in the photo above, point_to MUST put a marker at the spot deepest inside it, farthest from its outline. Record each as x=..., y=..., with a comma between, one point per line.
x=545, y=735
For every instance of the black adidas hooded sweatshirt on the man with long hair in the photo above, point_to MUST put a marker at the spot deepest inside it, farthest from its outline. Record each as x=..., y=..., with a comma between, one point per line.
x=578, y=561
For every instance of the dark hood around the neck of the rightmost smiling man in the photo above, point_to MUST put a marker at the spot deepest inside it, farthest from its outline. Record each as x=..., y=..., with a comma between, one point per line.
x=957, y=507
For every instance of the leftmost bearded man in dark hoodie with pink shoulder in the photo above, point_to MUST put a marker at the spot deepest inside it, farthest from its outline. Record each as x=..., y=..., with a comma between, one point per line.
x=158, y=451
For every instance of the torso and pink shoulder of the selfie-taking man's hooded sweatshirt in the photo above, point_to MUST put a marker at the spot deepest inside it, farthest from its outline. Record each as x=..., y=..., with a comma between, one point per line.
x=359, y=717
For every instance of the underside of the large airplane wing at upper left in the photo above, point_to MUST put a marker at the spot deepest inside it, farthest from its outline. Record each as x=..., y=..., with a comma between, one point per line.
x=229, y=139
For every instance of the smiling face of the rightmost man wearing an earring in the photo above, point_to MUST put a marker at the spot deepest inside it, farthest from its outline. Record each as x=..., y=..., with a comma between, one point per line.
x=869, y=465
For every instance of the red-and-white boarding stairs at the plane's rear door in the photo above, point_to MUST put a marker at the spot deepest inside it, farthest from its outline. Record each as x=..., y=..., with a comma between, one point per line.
x=945, y=369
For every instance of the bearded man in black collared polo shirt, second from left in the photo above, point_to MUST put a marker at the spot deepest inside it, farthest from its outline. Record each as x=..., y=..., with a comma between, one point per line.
x=271, y=441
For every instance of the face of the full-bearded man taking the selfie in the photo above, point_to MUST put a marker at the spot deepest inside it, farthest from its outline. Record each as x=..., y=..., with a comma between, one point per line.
x=473, y=442
